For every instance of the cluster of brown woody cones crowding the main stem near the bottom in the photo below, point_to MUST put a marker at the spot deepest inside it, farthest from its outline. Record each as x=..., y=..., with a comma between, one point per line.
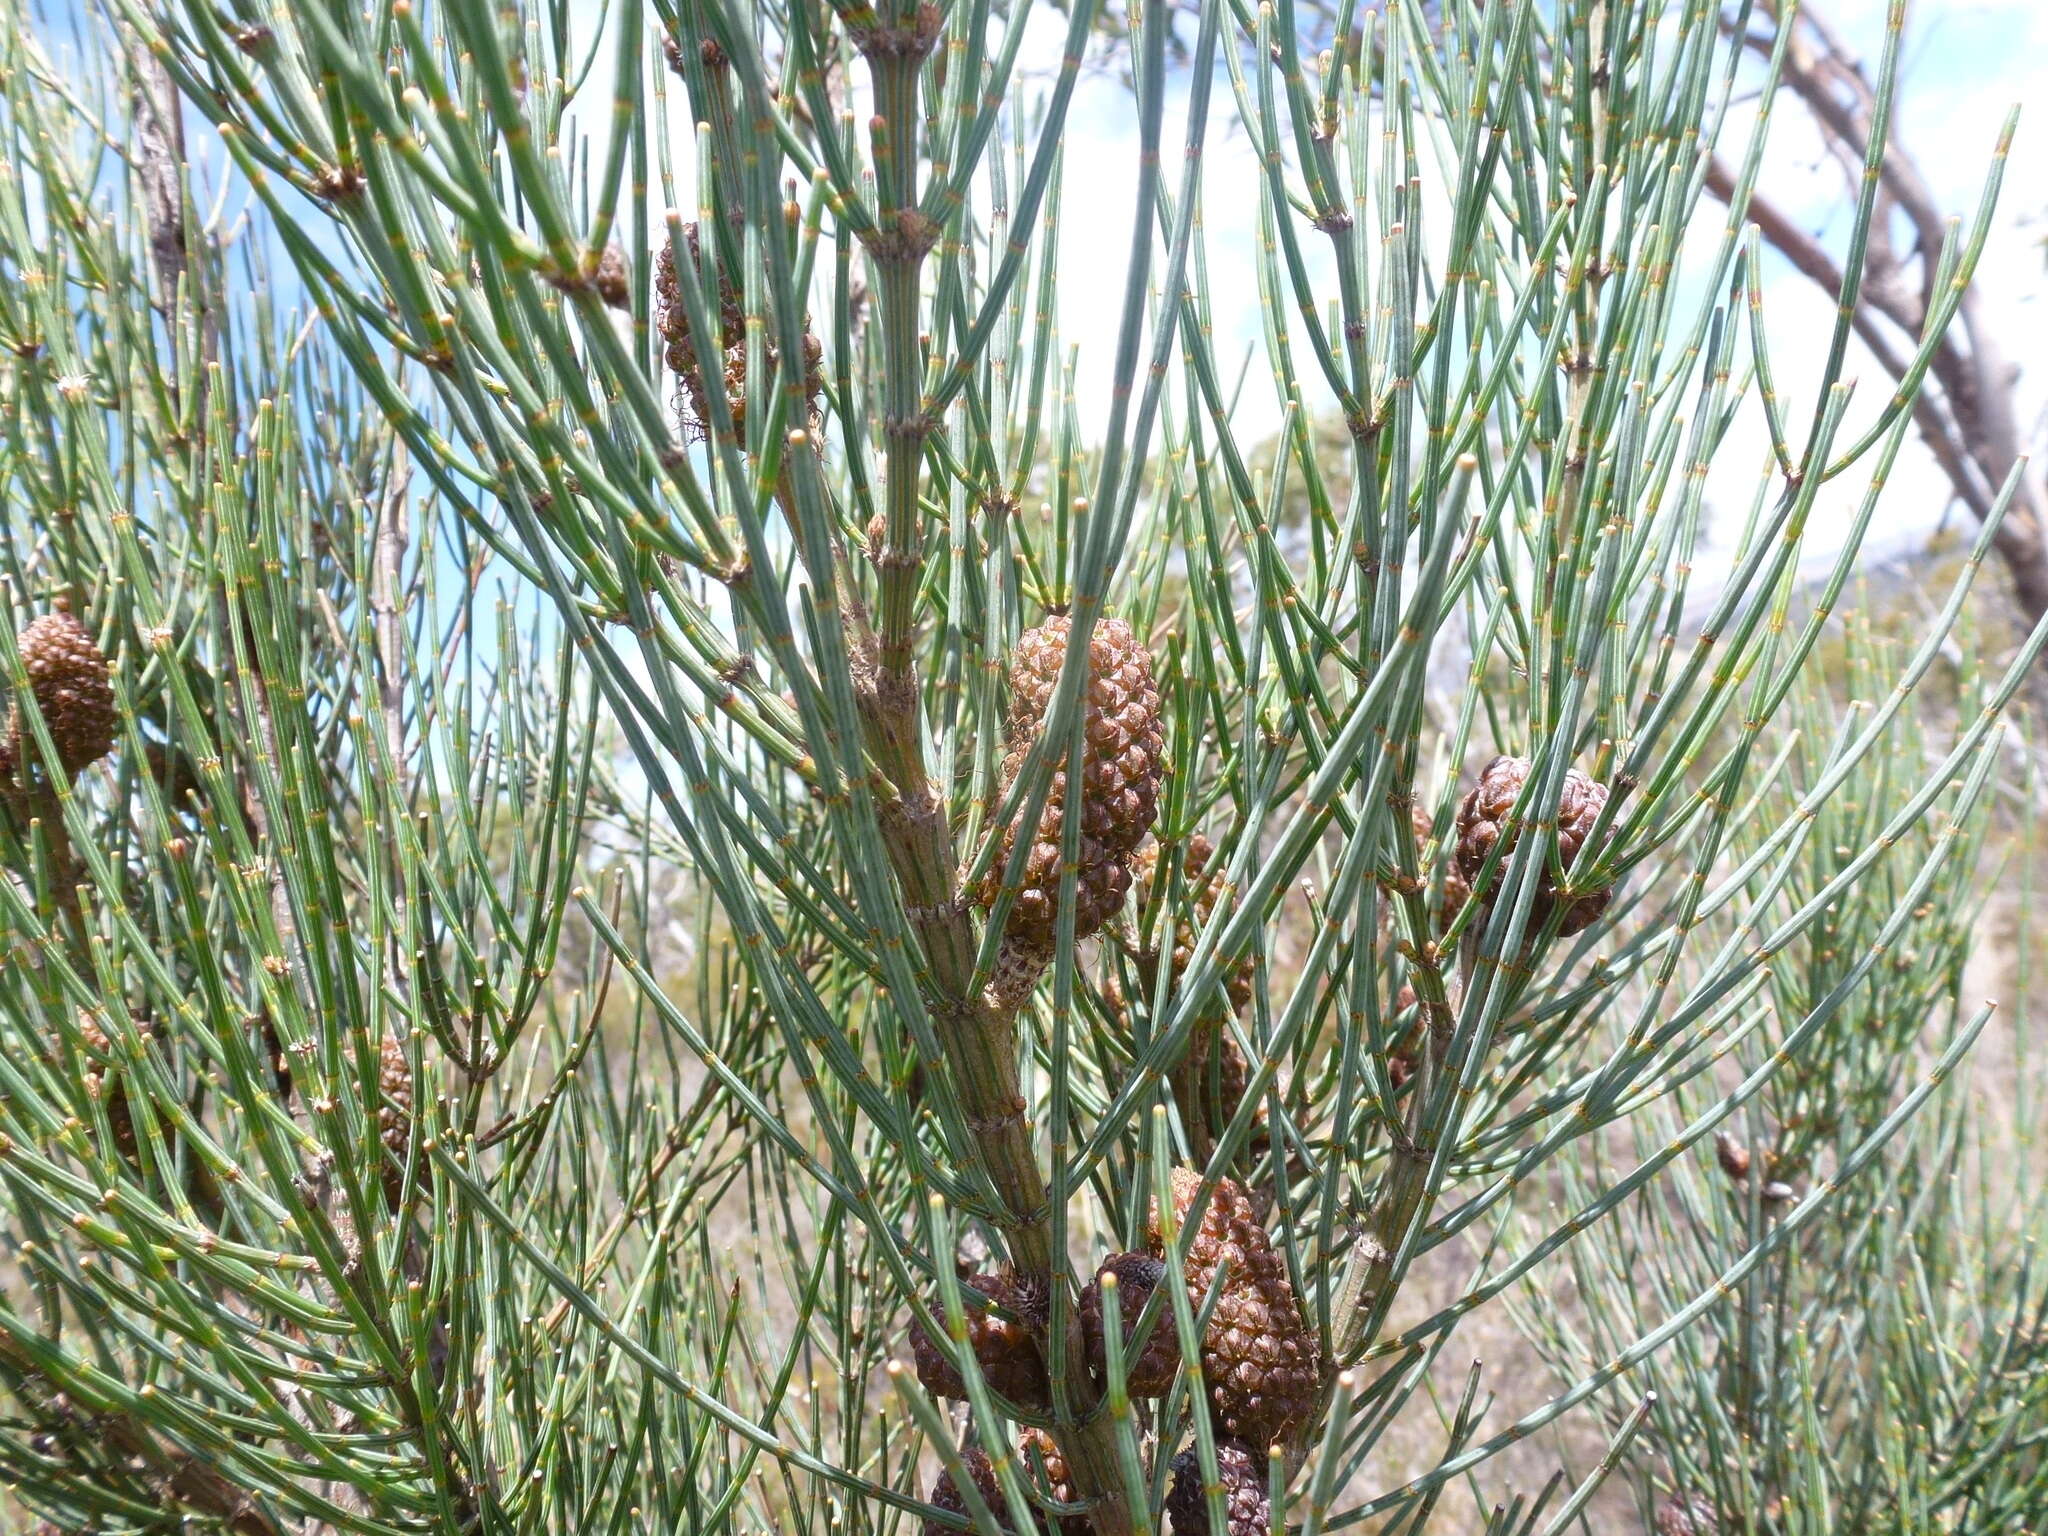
x=1261, y=1367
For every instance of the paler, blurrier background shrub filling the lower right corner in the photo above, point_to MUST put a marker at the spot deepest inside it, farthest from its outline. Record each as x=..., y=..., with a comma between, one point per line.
x=1887, y=1371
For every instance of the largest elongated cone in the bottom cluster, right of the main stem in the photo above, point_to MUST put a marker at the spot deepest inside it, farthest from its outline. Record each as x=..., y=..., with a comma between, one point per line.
x=1258, y=1359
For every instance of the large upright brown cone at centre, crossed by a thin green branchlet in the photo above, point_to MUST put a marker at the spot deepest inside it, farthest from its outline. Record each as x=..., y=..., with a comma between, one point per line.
x=1121, y=767
